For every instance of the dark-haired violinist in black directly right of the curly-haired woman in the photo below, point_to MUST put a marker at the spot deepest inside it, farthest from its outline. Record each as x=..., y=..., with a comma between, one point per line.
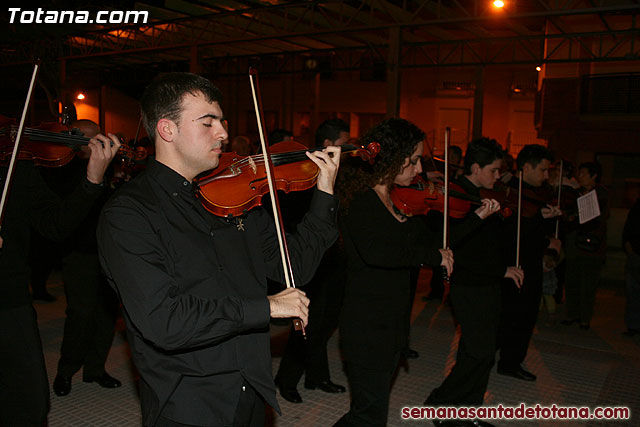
x=475, y=283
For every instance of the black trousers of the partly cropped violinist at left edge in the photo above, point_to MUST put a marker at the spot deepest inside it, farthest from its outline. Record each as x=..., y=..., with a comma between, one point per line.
x=24, y=387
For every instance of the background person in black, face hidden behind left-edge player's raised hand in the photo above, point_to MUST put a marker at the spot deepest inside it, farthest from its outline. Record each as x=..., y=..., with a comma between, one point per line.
x=91, y=304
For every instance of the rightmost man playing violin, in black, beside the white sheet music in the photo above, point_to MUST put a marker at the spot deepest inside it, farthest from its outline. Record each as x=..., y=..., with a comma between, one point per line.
x=520, y=306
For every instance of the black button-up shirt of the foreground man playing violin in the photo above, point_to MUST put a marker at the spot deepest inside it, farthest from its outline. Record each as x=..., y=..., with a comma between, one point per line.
x=193, y=288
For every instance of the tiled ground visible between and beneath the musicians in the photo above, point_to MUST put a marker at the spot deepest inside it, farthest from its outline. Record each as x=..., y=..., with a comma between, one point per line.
x=598, y=367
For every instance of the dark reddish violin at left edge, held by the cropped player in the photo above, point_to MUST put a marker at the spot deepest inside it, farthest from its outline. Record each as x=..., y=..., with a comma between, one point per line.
x=51, y=144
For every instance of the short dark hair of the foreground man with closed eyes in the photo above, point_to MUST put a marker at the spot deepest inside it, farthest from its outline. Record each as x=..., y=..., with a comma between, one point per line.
x=162, y=99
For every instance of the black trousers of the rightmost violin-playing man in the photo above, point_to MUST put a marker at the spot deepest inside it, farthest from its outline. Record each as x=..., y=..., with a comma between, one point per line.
x=519, y=316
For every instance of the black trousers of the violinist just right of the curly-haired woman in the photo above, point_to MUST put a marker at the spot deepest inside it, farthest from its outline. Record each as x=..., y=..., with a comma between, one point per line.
x=477, y=310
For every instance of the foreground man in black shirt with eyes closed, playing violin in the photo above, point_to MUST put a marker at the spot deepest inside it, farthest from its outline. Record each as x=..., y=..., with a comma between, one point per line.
x=193, y=285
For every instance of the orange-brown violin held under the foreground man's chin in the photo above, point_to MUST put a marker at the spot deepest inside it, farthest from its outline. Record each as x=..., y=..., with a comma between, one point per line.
x=238, y=183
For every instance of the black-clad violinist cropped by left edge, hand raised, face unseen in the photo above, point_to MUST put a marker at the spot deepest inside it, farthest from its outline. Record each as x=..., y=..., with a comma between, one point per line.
x=24, y=388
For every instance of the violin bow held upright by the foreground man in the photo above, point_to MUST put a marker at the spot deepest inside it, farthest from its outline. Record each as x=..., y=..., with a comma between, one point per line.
x=275, y=203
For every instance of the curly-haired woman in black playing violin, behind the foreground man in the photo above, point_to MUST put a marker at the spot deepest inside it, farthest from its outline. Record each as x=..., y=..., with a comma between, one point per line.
x=382, y=246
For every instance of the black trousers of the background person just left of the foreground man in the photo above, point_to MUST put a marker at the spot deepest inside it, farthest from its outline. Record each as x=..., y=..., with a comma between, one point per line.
x=90, y=322
